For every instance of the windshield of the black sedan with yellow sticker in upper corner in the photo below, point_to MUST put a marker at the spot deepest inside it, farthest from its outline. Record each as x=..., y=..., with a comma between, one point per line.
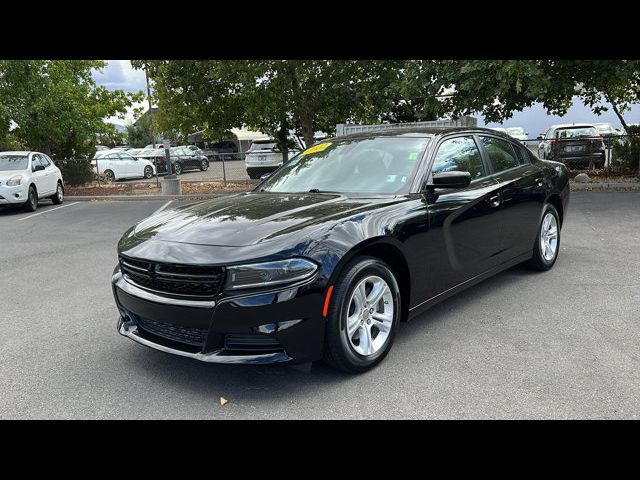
x=365, y=165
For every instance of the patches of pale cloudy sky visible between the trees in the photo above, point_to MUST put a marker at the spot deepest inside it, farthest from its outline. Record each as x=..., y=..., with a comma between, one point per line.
x=120, y=75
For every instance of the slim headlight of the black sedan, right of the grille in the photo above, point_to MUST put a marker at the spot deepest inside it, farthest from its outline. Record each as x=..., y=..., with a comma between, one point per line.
x=269, y=273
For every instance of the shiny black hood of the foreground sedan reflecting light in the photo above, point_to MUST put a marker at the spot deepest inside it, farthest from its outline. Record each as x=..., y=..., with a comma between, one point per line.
x=252, y=218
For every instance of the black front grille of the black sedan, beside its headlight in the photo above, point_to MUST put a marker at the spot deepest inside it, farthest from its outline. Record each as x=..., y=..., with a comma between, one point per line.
x=181, y=280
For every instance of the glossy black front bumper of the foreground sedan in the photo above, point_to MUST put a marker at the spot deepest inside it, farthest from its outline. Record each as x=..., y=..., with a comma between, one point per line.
x=281, y=326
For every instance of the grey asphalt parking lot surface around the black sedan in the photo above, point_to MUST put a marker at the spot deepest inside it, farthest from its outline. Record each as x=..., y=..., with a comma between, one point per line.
x=561, y=344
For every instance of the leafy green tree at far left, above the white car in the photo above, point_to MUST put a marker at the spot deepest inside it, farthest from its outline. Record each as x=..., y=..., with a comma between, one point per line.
x=57, y=106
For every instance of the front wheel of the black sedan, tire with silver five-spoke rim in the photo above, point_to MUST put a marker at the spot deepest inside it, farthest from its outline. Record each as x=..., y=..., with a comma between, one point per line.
x=363, y=316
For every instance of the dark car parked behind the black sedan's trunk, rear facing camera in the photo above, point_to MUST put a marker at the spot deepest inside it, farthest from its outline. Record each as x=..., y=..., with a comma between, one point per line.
x=575, y=144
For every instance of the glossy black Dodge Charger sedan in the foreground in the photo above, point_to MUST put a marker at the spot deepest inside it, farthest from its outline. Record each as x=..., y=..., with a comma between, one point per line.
x=326, y=257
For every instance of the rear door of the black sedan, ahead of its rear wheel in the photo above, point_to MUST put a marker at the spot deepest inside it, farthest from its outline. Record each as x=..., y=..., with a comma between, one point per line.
x=522, y=195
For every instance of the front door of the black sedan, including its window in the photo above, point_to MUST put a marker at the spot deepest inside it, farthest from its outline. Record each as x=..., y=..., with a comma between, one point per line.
x=465, y=235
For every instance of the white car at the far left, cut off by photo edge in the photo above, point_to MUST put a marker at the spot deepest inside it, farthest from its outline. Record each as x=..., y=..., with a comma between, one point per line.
x=27, y=177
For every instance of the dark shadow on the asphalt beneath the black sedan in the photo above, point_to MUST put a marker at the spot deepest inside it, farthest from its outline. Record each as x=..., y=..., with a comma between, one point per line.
x=250, y=384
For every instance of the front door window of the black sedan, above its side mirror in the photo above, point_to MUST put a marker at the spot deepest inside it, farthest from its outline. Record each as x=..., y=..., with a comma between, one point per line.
x=459, y=154
